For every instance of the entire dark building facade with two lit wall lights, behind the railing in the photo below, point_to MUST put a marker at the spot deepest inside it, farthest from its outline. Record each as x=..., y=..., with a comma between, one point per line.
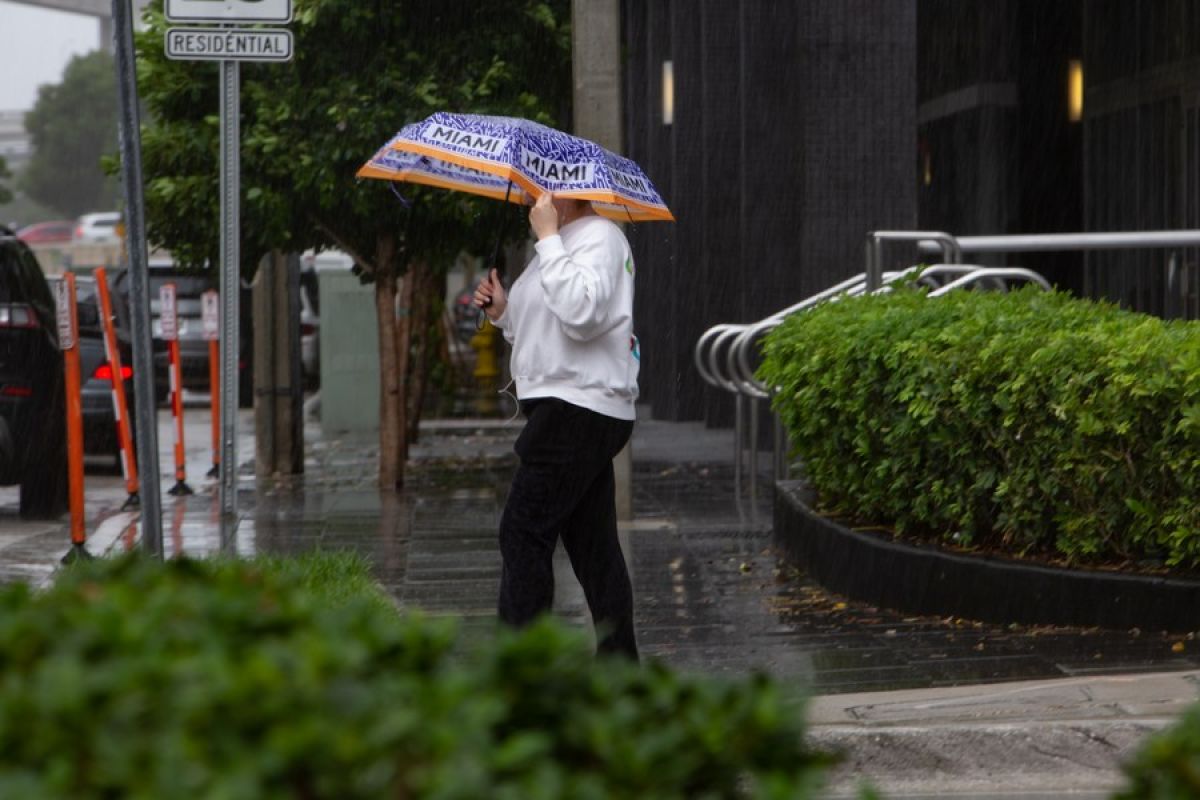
x=800, y=127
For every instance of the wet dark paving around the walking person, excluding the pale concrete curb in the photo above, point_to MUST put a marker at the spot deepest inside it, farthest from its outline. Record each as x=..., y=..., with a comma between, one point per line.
x=713, y=596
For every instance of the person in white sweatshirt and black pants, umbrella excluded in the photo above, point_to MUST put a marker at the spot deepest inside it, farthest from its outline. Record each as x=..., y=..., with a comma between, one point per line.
x=569, y=318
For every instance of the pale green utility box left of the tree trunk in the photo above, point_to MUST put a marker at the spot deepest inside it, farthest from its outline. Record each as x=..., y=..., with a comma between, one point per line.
x=350, y=350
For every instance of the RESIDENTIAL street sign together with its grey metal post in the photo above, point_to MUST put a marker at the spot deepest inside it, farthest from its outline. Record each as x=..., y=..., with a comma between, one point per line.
x=230, y=46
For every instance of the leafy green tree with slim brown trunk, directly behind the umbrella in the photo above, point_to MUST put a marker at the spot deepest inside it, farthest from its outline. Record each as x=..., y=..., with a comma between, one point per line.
x=362, y=71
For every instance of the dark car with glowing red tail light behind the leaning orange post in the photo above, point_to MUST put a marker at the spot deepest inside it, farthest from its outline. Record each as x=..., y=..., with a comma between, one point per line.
x=97, y=375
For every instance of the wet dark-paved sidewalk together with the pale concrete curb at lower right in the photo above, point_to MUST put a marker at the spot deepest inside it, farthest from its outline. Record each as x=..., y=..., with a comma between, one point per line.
x=923, y=707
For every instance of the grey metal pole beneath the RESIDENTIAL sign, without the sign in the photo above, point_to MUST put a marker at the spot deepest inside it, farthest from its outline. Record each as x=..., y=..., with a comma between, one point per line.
x=231, y=286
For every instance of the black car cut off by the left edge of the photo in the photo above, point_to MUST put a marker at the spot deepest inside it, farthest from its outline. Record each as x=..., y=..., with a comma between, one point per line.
x=33, y=418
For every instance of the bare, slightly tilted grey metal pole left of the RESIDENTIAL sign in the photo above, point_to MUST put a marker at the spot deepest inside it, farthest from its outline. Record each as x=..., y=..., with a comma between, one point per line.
x=140, y=278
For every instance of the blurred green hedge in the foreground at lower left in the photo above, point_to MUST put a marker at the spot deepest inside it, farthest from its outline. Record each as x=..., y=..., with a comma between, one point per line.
x=136, y=679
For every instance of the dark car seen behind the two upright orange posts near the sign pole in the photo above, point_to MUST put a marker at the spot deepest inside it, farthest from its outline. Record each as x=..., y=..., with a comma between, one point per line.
x=194, y=348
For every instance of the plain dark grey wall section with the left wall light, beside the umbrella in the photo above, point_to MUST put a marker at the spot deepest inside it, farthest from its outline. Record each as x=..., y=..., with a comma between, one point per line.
x=793, y=135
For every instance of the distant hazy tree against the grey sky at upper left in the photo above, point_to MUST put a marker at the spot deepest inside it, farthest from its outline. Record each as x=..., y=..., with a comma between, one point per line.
x=73, y=127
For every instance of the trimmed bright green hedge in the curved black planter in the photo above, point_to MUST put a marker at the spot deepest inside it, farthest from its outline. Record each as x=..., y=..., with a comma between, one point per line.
x=1028, y=422
